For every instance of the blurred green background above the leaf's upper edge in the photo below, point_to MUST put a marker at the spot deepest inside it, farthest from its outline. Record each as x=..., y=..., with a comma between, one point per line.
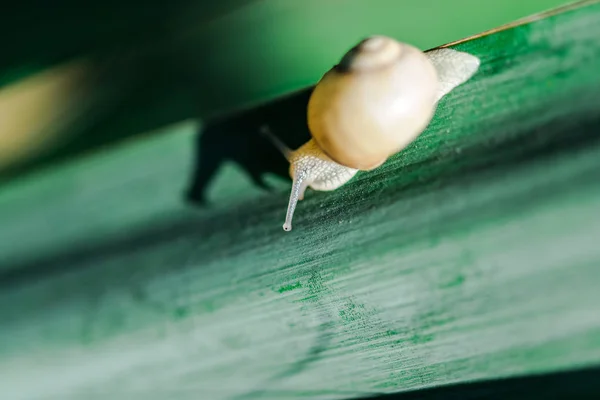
x=141, y=66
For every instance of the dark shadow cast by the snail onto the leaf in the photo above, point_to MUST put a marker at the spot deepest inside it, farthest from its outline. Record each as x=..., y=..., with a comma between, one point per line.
x=237, y=138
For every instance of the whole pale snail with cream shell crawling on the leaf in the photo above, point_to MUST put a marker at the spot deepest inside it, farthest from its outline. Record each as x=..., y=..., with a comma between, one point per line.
x=376, y=101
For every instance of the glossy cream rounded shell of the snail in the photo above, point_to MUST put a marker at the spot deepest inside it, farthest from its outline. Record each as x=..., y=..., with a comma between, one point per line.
x=375, y=102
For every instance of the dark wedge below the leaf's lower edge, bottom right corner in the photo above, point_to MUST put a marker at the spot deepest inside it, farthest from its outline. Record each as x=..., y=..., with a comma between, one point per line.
x=576, y=384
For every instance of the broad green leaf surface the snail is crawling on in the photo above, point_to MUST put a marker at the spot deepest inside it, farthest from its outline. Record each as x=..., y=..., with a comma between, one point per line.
x=473, y=254
